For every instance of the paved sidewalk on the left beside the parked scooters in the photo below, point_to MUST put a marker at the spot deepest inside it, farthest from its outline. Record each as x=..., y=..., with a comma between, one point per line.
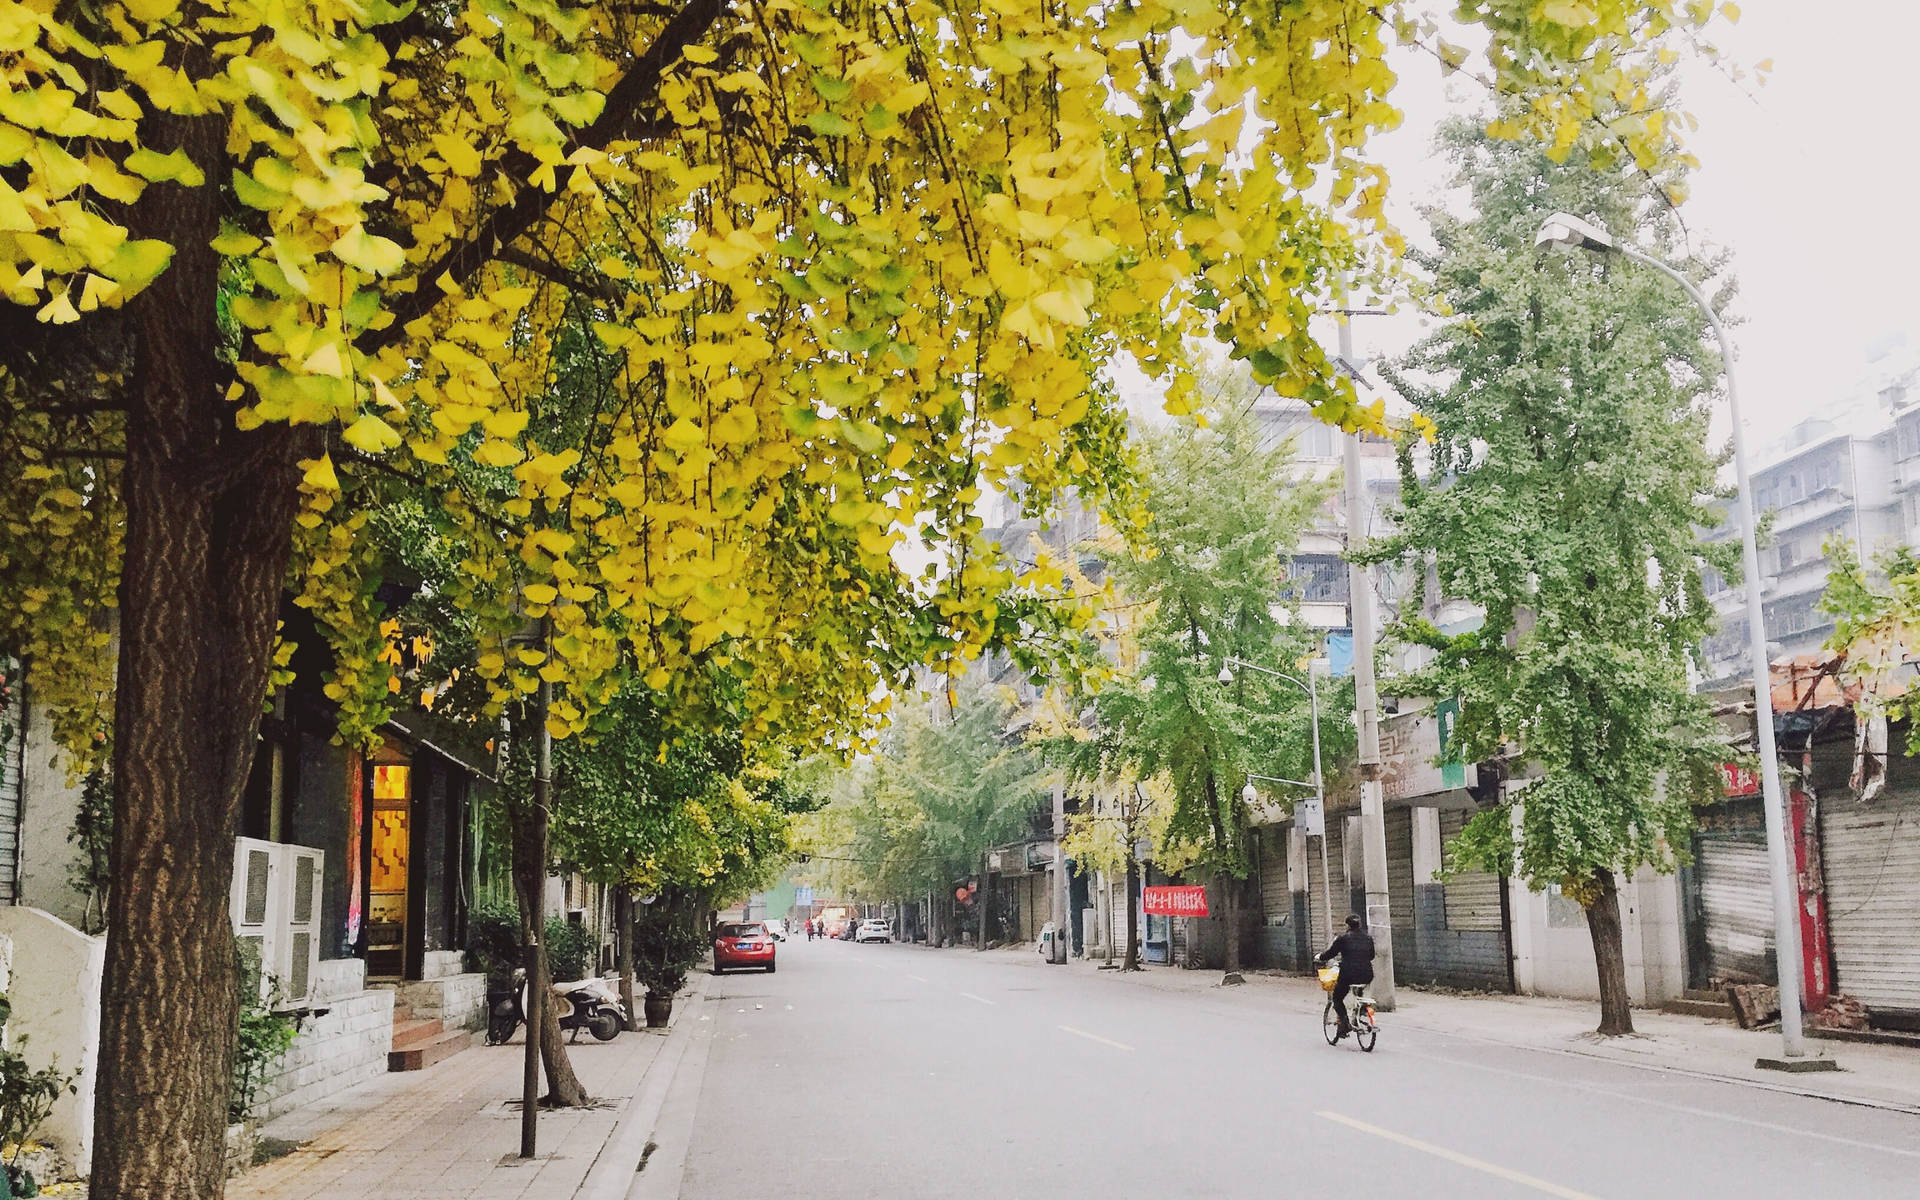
x=454, y=1130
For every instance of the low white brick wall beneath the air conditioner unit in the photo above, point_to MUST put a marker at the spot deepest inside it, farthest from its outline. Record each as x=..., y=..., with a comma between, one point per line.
x=335, y=1051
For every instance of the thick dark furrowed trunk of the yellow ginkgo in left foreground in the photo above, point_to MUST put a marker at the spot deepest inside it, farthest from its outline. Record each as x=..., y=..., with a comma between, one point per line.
x=210, y=517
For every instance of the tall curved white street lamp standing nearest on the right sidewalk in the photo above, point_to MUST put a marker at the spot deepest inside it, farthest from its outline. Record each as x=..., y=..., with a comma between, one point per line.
x=1568, y=235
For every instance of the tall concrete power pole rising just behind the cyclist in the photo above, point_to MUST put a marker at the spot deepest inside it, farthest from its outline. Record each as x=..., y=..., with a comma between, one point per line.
x=1366, y=711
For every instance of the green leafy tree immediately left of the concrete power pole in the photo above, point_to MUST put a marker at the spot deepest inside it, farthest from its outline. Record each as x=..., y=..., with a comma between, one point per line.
x=1209, y=573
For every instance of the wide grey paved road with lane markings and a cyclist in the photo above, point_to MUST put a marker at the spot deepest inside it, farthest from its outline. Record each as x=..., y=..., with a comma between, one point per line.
x=876, y=1072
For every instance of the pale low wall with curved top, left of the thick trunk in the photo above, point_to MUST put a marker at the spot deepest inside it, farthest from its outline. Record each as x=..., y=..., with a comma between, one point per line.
x=55, y=990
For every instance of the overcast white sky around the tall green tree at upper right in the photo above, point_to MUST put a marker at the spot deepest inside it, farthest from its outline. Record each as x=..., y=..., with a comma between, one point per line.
x=1812, y=180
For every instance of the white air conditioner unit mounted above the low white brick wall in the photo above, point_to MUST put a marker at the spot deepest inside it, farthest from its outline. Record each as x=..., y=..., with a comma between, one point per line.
x=277, y=911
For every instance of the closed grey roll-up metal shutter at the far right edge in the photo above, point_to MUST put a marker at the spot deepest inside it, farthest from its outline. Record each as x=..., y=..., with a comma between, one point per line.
x=1871, y=857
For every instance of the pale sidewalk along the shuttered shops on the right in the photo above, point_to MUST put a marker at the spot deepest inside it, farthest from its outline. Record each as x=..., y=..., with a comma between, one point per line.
x=1871, y=1074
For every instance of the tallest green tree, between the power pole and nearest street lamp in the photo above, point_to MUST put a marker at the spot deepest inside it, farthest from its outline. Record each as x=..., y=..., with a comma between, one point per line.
x=1568, y=489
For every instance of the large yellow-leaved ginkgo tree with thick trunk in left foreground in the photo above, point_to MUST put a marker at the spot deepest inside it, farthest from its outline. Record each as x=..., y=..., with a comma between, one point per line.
x=853, y=264
